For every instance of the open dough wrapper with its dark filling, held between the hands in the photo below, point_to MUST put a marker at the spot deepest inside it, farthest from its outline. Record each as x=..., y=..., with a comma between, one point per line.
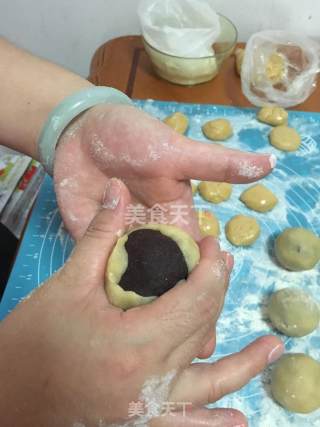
x=147, y=262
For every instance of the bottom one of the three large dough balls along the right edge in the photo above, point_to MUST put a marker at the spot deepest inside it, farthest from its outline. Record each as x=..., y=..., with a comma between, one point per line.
x=295, y=383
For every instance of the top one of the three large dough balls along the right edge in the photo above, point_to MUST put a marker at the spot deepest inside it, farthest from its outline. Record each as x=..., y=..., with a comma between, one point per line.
x=297, y=249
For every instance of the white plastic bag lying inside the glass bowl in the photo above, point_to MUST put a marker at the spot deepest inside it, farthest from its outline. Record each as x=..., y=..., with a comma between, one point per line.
x=184, y=28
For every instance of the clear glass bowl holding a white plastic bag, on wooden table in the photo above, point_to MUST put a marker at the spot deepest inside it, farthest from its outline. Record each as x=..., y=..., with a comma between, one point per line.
x=191, y=71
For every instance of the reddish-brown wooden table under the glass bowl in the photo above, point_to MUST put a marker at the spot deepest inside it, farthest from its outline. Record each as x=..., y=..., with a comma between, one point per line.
x=123, y=63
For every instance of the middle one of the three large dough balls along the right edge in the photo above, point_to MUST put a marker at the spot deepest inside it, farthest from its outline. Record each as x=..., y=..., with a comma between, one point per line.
x=293, y=312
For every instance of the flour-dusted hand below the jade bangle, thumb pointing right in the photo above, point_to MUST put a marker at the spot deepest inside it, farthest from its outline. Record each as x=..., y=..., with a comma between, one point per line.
x=155, y=162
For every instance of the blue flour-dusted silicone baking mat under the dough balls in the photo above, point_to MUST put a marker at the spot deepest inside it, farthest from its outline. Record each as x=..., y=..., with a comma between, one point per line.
x=295, y=181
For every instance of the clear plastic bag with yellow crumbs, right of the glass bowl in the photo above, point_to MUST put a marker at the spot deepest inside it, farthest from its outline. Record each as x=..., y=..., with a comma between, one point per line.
x=279, y=68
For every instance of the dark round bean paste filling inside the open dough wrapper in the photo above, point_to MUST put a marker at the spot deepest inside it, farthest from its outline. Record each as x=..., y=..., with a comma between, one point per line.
x=155, y=263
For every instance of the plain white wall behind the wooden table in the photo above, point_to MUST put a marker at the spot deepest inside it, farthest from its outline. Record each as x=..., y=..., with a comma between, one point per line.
x=69, y=31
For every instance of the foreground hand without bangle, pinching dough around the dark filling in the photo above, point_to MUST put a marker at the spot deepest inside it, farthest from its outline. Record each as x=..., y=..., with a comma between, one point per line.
x=69, y=358
